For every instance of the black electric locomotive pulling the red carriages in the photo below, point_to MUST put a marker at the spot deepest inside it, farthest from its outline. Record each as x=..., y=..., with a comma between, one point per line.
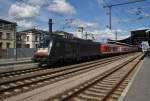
x=62, y=46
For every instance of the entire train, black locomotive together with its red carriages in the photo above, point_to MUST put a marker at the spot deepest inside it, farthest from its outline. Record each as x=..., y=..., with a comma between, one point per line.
x=63, y=46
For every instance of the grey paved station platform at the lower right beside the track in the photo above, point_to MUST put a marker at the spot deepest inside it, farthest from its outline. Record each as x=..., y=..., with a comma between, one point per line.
x=139, y=87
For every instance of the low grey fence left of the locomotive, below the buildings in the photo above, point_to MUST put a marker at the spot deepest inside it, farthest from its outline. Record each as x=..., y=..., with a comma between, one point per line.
x=16, y=53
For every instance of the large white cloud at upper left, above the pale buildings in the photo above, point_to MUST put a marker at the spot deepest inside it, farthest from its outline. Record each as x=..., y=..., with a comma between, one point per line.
x=25, y=12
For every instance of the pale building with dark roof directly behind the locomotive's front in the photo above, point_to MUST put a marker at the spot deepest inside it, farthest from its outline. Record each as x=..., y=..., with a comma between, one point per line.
x=30, y=38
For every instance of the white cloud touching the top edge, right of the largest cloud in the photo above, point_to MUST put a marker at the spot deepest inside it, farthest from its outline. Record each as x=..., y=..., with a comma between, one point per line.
x=61, y=6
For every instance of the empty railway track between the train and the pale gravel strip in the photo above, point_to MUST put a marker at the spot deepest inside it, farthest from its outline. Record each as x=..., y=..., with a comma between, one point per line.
x=12, y=85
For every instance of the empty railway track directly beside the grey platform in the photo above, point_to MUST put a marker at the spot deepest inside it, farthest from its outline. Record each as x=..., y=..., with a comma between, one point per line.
x=105, y=87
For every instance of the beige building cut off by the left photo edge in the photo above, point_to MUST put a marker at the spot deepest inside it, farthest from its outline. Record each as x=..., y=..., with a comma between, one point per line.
x=7, y=34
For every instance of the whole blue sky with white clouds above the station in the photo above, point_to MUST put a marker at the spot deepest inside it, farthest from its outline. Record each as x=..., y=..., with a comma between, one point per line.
x=68, y=15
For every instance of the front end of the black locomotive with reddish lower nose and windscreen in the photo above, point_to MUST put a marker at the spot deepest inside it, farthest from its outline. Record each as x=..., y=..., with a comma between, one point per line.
x=42, y=54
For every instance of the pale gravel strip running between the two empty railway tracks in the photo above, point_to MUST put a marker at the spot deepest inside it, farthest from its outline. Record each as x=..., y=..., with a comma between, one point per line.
x=61, y=86
